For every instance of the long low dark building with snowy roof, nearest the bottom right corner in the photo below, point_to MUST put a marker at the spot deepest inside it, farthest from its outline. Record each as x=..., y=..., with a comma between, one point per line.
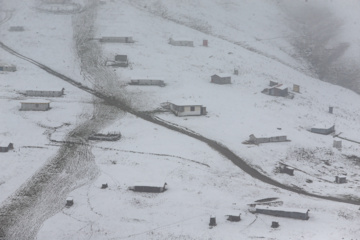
x=302, y=214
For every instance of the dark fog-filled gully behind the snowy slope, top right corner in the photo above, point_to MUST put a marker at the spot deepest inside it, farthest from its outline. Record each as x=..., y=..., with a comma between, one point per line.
x=326, y=37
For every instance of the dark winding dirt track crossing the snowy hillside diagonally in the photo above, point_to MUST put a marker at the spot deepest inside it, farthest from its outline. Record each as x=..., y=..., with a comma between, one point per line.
x=223, y=150
